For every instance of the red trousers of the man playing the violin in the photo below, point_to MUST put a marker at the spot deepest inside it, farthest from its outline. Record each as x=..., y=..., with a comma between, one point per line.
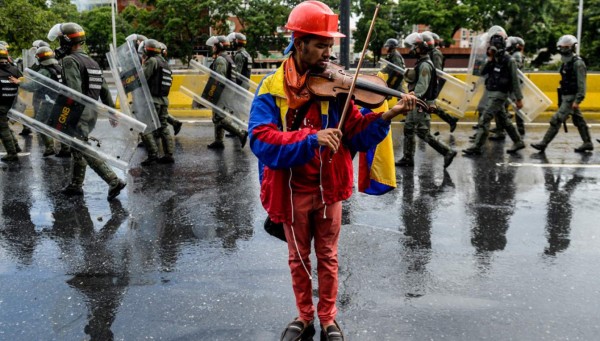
x=309, y=223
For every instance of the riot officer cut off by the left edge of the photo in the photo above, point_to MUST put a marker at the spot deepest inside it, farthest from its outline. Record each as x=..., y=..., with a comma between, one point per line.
x=9, y=90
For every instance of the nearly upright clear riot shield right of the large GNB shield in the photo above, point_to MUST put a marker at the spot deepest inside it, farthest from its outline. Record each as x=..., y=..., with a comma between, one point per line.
x=132, y=89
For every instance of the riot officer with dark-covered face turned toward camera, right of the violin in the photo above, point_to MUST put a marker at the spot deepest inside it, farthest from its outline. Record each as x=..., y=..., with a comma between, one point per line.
x=502, y=78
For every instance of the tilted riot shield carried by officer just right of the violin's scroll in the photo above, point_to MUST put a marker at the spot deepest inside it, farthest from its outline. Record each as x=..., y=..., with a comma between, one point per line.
x=451, y=96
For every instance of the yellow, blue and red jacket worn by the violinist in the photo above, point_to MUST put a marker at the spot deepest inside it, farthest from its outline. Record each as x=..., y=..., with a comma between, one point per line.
x=278, y=150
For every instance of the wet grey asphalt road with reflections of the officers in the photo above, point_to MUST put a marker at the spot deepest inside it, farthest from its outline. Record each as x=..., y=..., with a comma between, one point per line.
x=488, y=250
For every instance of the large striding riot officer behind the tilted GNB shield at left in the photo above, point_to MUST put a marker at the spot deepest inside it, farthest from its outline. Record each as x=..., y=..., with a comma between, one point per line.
x=83, y=74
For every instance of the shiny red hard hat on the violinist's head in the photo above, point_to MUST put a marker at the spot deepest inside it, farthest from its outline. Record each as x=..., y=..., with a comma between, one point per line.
x=314, y=17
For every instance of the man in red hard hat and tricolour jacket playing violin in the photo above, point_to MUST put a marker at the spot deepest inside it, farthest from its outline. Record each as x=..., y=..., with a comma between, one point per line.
x=305, y=162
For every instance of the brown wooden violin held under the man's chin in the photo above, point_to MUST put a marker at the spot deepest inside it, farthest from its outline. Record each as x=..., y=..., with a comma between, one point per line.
x=370, y=91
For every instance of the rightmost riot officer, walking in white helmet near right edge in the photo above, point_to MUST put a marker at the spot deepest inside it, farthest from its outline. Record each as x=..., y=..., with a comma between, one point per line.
x=571, y=94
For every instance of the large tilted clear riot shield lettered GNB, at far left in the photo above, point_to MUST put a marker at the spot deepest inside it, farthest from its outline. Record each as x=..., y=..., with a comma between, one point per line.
x=112, y=137
